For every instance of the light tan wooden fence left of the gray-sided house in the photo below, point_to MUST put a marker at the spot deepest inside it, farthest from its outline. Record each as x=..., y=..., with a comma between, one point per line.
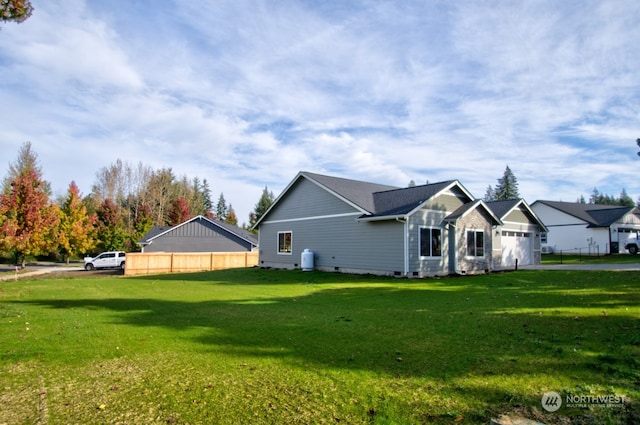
x=139, y=263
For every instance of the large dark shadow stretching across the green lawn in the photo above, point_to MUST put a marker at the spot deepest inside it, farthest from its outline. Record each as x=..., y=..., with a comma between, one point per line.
x=447, y=329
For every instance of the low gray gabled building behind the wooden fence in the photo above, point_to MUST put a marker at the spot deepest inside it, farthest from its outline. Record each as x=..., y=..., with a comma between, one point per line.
x=199, y=234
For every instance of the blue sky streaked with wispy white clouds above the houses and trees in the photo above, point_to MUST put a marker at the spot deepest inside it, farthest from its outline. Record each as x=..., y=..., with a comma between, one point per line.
x=248, y=93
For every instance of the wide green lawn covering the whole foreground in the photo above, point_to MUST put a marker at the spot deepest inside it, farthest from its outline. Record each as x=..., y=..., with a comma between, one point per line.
x=269, y=346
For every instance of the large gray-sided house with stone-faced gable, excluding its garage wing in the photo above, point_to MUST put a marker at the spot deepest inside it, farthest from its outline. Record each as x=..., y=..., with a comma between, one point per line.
x=361, y=227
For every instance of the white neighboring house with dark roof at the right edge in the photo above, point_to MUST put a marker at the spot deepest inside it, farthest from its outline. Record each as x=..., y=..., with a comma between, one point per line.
x=586, y=228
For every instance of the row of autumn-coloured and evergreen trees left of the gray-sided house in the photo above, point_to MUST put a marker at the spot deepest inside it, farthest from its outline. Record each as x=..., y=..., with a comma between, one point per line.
x=125, y=202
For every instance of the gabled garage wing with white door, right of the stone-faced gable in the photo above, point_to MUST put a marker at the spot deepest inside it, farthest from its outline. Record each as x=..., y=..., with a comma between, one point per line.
x=518, y=238
